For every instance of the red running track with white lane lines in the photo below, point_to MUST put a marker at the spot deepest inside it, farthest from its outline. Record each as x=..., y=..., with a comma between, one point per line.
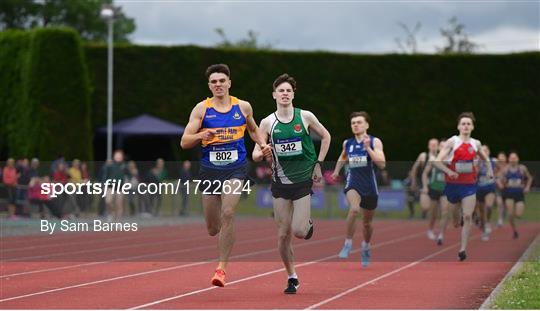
x=408, y=270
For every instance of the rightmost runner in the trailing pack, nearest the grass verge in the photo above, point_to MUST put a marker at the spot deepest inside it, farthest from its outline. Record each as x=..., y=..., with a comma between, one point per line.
x=515, y=181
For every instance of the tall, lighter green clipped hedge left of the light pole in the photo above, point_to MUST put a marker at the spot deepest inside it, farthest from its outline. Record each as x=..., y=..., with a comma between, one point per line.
x=49, y=95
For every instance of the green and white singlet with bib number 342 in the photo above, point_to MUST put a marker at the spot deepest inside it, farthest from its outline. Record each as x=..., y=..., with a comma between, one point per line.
x=293, y=151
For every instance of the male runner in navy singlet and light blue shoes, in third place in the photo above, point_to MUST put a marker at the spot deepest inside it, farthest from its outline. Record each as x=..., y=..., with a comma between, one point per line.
x=361, y=152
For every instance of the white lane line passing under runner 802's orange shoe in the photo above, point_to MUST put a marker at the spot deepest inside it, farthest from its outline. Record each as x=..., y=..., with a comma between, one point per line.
x=153, y=303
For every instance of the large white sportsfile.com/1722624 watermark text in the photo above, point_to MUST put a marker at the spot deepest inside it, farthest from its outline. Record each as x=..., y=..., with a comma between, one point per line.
x=111, y=186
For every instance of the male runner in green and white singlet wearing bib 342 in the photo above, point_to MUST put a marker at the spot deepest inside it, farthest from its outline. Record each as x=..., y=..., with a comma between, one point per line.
x=295, y=166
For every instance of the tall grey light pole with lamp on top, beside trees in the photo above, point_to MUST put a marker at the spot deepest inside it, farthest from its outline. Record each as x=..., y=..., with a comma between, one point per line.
x=107, y=13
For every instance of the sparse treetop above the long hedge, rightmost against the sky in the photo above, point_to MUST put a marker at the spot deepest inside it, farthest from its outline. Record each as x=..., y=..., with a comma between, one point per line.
x=457, y=41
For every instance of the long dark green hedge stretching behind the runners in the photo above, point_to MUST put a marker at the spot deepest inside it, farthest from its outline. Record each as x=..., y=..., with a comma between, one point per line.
x=410, y=98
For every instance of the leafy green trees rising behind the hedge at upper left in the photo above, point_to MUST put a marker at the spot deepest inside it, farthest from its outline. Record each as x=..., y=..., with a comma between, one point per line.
x=83, y=16
